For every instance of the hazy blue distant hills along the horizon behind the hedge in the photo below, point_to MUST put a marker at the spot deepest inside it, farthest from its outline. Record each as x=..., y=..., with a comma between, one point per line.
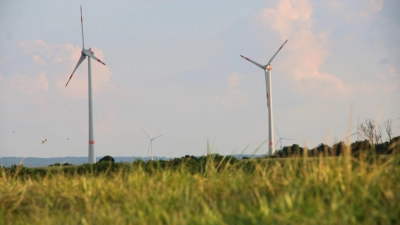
x=43, y=162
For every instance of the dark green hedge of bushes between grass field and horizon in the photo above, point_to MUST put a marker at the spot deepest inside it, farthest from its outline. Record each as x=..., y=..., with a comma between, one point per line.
x=202, y=164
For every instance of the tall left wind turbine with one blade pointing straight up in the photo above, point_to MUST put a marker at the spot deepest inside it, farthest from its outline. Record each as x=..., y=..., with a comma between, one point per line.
x=90, y=54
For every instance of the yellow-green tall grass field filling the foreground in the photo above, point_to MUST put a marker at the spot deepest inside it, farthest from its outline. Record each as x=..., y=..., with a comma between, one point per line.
x=340, y=190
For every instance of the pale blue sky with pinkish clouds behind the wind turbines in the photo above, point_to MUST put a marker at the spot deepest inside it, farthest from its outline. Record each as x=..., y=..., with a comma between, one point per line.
x=173, y=68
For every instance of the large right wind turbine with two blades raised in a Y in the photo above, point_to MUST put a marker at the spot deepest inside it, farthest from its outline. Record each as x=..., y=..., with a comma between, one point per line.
x=267, y=68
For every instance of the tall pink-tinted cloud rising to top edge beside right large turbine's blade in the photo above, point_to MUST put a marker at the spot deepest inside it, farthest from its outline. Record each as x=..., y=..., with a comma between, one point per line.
x=307, y=49
